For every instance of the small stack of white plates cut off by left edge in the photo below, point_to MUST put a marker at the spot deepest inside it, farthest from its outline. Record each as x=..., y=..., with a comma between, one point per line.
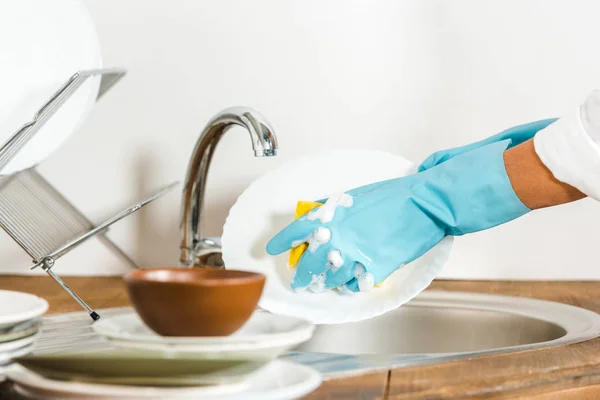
x=19, y=325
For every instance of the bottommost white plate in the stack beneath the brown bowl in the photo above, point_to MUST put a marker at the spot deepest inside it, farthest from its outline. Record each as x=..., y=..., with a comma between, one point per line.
x=278, y=381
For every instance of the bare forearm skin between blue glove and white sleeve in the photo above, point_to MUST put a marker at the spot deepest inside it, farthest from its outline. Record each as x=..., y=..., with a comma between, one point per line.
x=533, y=182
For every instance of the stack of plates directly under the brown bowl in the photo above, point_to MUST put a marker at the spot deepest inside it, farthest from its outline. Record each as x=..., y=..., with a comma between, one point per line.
x=145, y=365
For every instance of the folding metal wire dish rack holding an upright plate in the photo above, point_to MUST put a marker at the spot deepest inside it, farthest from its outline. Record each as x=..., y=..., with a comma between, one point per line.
x=35, y=214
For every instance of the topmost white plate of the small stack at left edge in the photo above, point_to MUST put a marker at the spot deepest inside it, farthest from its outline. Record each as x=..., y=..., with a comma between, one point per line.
x=17, y=307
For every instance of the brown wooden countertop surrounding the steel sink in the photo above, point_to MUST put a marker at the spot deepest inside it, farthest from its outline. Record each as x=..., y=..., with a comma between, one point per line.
x=565, y=372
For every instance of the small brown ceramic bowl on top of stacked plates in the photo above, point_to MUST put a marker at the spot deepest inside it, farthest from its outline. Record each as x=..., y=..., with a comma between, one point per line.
x=194, y=301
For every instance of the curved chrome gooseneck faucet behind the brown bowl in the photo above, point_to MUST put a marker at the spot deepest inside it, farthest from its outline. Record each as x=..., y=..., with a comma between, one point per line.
x=264, y=143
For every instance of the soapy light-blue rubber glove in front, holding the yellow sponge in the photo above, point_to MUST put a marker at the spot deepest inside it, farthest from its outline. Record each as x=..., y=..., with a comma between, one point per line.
x=358, y=239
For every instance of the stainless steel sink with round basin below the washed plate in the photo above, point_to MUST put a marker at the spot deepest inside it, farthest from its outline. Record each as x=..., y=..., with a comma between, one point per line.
x=438, y=326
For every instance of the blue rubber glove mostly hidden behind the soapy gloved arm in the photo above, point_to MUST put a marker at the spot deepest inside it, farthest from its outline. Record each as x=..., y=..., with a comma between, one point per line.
x=517, y=134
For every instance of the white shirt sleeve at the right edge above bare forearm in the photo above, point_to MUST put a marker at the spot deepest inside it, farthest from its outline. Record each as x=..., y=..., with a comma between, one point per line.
x=570, y=147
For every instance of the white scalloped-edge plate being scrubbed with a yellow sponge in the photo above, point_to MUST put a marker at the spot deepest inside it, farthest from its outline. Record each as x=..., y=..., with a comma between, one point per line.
x=268, y=205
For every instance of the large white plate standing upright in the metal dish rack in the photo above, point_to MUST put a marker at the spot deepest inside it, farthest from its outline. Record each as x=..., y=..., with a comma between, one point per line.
x=55, y=39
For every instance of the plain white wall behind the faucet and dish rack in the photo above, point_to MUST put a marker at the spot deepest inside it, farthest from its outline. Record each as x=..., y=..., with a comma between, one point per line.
x=409, y=77
